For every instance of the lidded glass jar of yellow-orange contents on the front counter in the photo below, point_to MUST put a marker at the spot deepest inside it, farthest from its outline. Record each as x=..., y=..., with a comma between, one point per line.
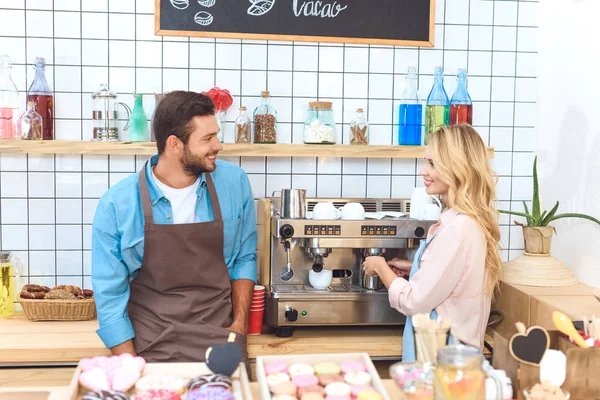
x=459, y=374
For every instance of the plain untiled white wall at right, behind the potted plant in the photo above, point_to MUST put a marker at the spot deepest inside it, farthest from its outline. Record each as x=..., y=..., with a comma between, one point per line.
x=568, y=137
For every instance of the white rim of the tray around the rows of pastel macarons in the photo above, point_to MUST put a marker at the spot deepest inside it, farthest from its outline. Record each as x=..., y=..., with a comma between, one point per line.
x=313, y=359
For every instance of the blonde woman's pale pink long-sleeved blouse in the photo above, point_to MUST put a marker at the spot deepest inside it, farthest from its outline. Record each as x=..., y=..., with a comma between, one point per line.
x=451, y=279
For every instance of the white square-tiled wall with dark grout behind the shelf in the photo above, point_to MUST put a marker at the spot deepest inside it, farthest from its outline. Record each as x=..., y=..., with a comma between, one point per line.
x=47, y=203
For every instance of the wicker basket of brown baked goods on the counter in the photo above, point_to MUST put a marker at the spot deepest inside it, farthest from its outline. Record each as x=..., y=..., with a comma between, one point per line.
x=60, y=303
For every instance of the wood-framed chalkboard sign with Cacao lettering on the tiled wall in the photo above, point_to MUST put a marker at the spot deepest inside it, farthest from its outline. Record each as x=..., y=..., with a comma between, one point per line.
x=388, y=22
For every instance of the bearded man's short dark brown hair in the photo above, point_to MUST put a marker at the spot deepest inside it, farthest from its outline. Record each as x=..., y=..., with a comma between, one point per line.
x=174, y=115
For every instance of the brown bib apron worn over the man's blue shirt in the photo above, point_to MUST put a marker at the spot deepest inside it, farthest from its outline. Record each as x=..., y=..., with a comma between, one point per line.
x=180, y=301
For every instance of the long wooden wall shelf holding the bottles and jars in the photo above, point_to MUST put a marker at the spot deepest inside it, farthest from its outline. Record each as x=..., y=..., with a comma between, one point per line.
x=230, y=149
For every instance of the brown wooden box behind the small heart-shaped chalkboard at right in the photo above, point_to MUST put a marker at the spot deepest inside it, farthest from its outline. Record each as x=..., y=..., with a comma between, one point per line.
x=583, y=367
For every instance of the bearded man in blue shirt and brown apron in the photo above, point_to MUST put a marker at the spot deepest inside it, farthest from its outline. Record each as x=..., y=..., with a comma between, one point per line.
x=174, y=246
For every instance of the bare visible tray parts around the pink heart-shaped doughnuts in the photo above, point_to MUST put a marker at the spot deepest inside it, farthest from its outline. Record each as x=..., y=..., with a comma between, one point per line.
x=241, y=383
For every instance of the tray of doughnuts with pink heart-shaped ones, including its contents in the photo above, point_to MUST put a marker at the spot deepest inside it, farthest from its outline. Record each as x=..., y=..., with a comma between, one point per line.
x=126, y=377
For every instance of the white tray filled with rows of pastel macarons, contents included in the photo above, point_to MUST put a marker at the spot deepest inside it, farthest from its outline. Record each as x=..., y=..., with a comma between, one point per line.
x=319, y=377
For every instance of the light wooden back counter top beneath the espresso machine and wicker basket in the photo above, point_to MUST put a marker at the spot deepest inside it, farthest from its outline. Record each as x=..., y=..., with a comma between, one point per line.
x=66, y=342
